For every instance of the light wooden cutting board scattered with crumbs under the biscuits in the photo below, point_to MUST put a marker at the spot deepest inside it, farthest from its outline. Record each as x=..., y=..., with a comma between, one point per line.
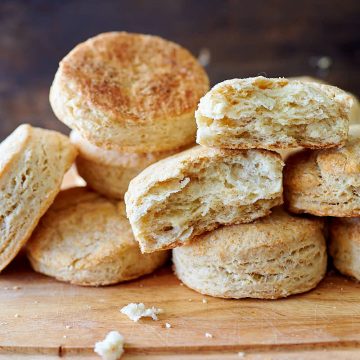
x=36, y=311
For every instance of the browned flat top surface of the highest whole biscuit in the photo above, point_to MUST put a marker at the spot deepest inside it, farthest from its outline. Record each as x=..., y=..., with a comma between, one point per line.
x=134, y=76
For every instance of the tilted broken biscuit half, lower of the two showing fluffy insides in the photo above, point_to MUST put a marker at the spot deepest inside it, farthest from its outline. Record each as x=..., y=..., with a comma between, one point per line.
x=199, y=189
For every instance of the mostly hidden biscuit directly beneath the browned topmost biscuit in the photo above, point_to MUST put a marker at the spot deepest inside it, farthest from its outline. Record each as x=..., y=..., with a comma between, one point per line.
x=109, y=172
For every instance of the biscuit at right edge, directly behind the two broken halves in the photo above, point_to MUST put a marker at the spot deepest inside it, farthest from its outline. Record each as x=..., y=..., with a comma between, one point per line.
x=325, y=182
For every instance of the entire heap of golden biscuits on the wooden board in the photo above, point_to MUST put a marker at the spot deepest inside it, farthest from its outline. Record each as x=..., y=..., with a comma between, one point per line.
x=130, y=100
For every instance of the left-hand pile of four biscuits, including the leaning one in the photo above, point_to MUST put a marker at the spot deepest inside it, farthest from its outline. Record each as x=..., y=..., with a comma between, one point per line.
x=130, y=101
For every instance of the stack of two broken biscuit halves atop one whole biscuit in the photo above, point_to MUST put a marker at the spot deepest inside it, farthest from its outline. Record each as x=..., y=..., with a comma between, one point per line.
x=215, y=199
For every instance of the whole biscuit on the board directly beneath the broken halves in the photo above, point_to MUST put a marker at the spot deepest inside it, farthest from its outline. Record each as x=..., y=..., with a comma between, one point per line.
x=276, y=256
